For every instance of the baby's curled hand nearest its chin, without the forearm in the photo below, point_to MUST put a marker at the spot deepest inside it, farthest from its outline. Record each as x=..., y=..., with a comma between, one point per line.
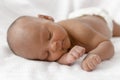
x=75, y=53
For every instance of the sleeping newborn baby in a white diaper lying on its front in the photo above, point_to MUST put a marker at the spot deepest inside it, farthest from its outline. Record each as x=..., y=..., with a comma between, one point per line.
x=40, y=38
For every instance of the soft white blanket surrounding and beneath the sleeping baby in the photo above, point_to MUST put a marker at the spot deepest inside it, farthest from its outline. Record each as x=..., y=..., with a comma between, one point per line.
x=16, y=68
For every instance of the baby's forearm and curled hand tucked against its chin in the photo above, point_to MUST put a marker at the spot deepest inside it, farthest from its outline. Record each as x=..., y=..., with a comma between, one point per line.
x=70, y=57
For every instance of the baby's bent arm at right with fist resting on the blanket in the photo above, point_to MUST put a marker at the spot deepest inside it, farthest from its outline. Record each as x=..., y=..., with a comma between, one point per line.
x=103, y=51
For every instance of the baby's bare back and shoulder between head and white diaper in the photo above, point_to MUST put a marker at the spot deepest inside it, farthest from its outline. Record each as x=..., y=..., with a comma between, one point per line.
x=87, y=31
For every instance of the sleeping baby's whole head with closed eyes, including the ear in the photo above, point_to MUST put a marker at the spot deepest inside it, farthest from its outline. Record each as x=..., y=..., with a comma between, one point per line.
x=38, y=38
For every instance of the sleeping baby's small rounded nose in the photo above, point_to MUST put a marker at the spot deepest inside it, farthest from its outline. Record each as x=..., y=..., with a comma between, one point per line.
x=55, y=46
